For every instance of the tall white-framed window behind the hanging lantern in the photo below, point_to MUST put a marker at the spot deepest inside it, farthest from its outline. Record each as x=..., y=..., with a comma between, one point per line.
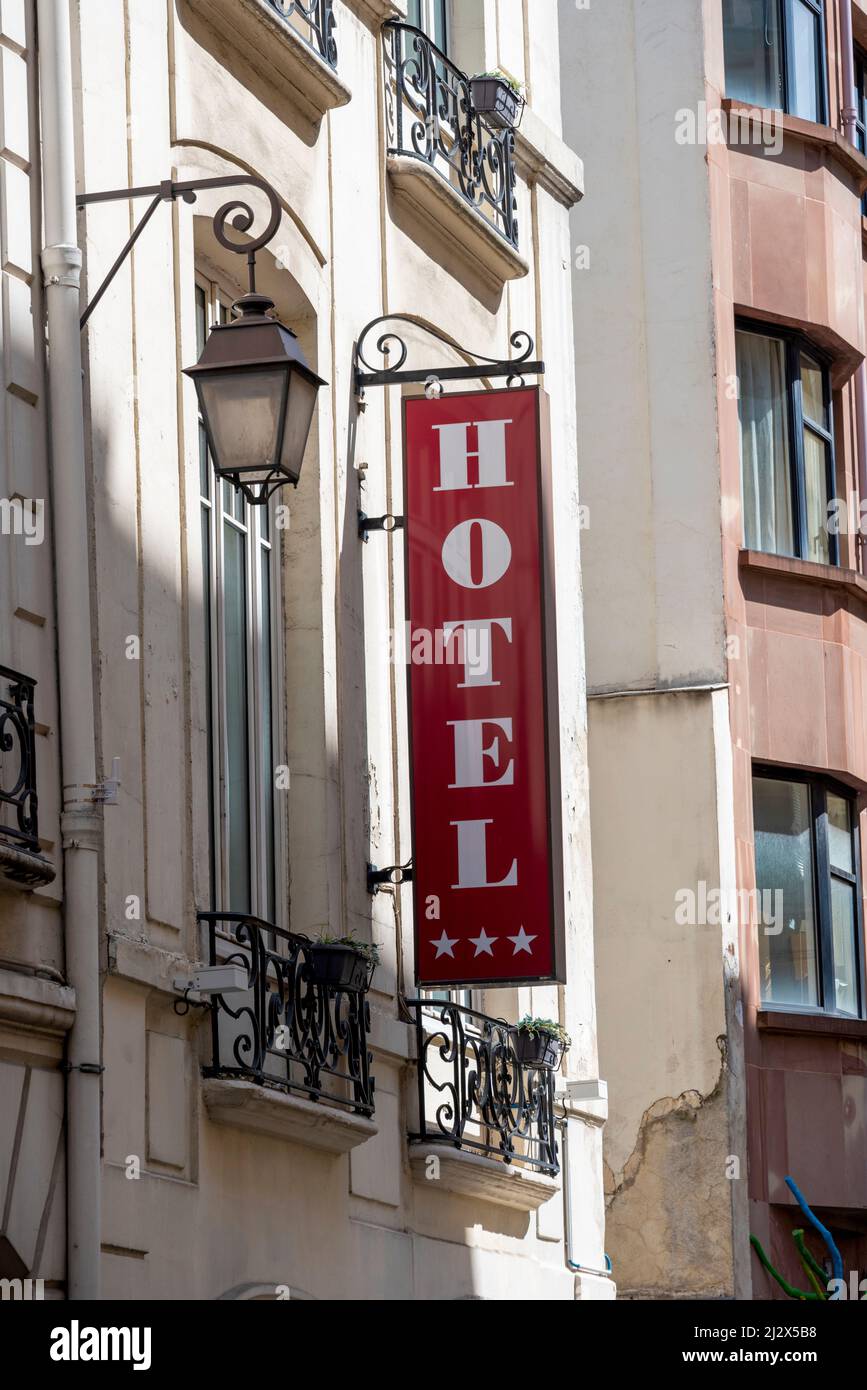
x=240, y=583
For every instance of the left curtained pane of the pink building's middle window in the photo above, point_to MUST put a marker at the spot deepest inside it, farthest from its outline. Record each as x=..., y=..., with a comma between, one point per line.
x=765, y=445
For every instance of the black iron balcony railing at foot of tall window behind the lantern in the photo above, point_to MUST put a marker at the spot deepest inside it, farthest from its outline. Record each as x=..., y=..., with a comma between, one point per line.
x=287, y=1031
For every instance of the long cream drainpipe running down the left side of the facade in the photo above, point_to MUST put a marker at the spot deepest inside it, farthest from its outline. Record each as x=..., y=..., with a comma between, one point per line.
x=81, y=818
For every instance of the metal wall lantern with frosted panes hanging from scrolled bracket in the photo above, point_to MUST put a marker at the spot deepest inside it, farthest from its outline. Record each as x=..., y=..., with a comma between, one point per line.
x=258, y=395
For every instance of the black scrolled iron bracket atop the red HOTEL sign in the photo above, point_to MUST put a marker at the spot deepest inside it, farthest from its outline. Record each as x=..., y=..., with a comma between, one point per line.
x=480, y=368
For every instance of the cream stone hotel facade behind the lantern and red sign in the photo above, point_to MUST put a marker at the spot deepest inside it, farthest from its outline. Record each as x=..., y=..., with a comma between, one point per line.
x=197, y=1207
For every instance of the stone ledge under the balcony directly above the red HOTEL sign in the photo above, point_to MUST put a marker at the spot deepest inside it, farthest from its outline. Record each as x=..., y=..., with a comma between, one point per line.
x=429, y=198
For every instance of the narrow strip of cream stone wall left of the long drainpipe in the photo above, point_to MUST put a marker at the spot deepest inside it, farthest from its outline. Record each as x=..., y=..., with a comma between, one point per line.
x=35, y=1006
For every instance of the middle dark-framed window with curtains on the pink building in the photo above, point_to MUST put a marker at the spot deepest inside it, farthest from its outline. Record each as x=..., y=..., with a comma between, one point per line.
x=787, y=447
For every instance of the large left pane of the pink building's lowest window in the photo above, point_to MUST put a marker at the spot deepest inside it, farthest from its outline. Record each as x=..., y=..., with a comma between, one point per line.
x=784, y=865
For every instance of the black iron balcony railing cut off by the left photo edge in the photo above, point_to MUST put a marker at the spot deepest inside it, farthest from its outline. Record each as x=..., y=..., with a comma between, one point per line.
x=19, y=801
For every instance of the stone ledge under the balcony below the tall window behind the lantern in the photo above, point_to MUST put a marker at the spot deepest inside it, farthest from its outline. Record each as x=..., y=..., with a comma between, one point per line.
x=281, y=1115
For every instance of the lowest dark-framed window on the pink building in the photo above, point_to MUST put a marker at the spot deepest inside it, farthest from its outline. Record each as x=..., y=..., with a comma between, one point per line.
x=808, y=875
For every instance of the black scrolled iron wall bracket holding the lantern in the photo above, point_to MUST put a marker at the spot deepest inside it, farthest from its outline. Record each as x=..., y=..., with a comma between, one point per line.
x=170, y=193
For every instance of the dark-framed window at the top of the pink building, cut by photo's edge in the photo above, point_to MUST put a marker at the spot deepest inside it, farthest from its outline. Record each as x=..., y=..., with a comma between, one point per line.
x=776, y=55
